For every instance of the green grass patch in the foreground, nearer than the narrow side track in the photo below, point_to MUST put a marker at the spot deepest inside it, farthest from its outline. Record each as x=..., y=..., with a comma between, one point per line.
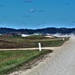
x=10, y=60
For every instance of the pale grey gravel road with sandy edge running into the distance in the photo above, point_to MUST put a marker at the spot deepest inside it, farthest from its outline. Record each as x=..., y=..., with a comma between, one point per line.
x=60, y=62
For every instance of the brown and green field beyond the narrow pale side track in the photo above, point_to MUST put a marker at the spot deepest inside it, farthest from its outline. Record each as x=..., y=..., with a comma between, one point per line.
x=29, y=42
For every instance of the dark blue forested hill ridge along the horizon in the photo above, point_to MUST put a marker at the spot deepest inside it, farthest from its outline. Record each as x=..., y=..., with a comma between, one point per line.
x=50, y=30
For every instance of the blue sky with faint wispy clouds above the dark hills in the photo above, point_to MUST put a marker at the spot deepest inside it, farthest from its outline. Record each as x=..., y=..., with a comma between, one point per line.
x=33, y=14
